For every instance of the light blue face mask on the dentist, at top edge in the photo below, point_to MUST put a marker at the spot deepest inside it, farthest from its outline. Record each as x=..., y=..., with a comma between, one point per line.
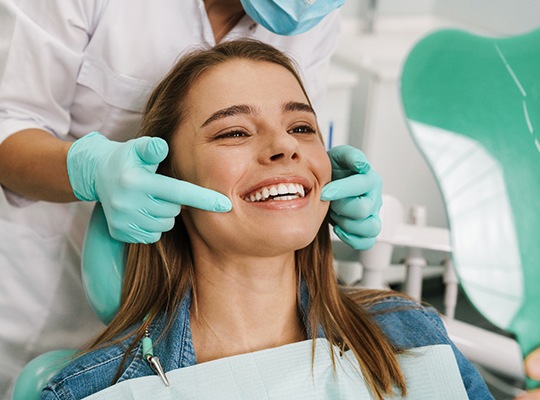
x=289, y=17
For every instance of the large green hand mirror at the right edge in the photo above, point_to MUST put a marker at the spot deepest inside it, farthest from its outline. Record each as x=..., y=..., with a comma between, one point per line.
x=472, y=104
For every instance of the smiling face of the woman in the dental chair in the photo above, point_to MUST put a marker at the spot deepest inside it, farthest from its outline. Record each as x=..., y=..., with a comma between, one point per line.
x=250, y=134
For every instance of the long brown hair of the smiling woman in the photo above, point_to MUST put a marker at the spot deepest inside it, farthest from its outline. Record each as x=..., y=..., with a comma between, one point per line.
x=158, y=276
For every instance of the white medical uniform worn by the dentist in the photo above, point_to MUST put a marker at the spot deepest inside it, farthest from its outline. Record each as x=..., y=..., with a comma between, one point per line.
x=72, y=67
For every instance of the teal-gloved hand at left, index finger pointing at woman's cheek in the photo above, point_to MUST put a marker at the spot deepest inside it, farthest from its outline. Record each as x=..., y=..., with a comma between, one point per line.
x=138, y=203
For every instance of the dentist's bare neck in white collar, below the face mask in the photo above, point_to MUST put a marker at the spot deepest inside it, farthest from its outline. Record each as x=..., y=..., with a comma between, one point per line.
x=223, y=16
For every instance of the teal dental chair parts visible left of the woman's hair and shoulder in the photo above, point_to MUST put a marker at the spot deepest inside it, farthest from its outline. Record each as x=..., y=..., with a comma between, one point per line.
x=102, y=272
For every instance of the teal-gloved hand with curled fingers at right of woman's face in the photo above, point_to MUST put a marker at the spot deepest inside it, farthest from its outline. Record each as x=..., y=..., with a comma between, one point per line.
x=356, y=197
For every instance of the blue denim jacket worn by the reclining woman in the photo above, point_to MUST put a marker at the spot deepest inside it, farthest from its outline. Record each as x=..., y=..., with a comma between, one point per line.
x=405, y=323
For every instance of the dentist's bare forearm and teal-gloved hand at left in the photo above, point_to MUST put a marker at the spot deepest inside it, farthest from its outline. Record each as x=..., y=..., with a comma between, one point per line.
x=139, y=204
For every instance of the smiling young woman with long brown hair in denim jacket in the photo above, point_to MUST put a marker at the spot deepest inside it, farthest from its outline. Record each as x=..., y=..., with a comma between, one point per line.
x=237, y=120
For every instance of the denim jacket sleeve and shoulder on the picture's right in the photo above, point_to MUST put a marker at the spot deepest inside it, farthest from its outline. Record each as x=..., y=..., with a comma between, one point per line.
x=409, y=325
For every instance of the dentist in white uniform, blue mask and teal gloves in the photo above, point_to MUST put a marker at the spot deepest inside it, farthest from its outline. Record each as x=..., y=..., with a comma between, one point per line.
x=74, y=77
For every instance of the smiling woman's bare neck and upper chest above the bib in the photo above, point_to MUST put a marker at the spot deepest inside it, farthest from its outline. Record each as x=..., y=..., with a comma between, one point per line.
x=244, y=306
